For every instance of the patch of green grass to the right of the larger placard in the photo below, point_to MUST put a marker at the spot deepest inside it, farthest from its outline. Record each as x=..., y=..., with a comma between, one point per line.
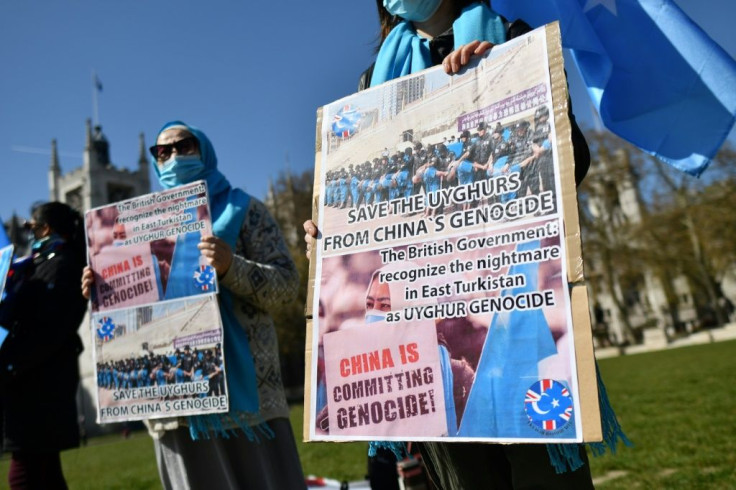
x=679, y=408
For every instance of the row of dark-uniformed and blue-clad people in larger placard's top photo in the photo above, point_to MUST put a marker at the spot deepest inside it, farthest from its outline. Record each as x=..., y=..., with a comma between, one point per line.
x=518, y=147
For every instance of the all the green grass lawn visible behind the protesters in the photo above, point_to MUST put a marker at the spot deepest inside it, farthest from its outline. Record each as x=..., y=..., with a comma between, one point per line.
x=677, y=406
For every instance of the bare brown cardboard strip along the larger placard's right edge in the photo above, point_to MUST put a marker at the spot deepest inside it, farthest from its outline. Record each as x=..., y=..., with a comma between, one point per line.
x=582, y=331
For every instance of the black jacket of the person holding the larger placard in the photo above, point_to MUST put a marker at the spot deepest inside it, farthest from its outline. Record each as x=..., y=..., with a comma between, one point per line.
x=442, y=45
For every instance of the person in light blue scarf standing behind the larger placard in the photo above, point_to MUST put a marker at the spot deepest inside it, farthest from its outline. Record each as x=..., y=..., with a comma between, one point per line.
x=418, y=34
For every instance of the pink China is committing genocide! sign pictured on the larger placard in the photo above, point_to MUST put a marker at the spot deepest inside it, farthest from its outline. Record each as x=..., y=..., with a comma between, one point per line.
x=385, y=380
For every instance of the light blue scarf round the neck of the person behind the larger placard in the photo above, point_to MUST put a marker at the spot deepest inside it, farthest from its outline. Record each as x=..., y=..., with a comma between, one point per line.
x=404, y=51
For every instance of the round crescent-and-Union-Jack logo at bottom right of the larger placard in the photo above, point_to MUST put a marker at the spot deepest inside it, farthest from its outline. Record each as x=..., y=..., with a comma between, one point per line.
x=548, y=404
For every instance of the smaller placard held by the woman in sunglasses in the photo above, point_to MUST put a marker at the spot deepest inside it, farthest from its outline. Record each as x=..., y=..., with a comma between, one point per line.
x=155, y=319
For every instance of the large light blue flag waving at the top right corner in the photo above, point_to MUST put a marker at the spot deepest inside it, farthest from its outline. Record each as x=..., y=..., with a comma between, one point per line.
x=656, y=78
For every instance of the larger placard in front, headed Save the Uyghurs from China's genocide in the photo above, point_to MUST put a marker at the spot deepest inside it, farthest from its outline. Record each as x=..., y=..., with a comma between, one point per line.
x=447, y=301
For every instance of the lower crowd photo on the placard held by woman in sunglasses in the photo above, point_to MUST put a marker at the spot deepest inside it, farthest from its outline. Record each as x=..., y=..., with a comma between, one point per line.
x=166, y=351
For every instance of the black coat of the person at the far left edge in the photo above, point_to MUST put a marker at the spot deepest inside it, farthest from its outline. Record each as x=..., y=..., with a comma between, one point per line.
x=39, y=373
